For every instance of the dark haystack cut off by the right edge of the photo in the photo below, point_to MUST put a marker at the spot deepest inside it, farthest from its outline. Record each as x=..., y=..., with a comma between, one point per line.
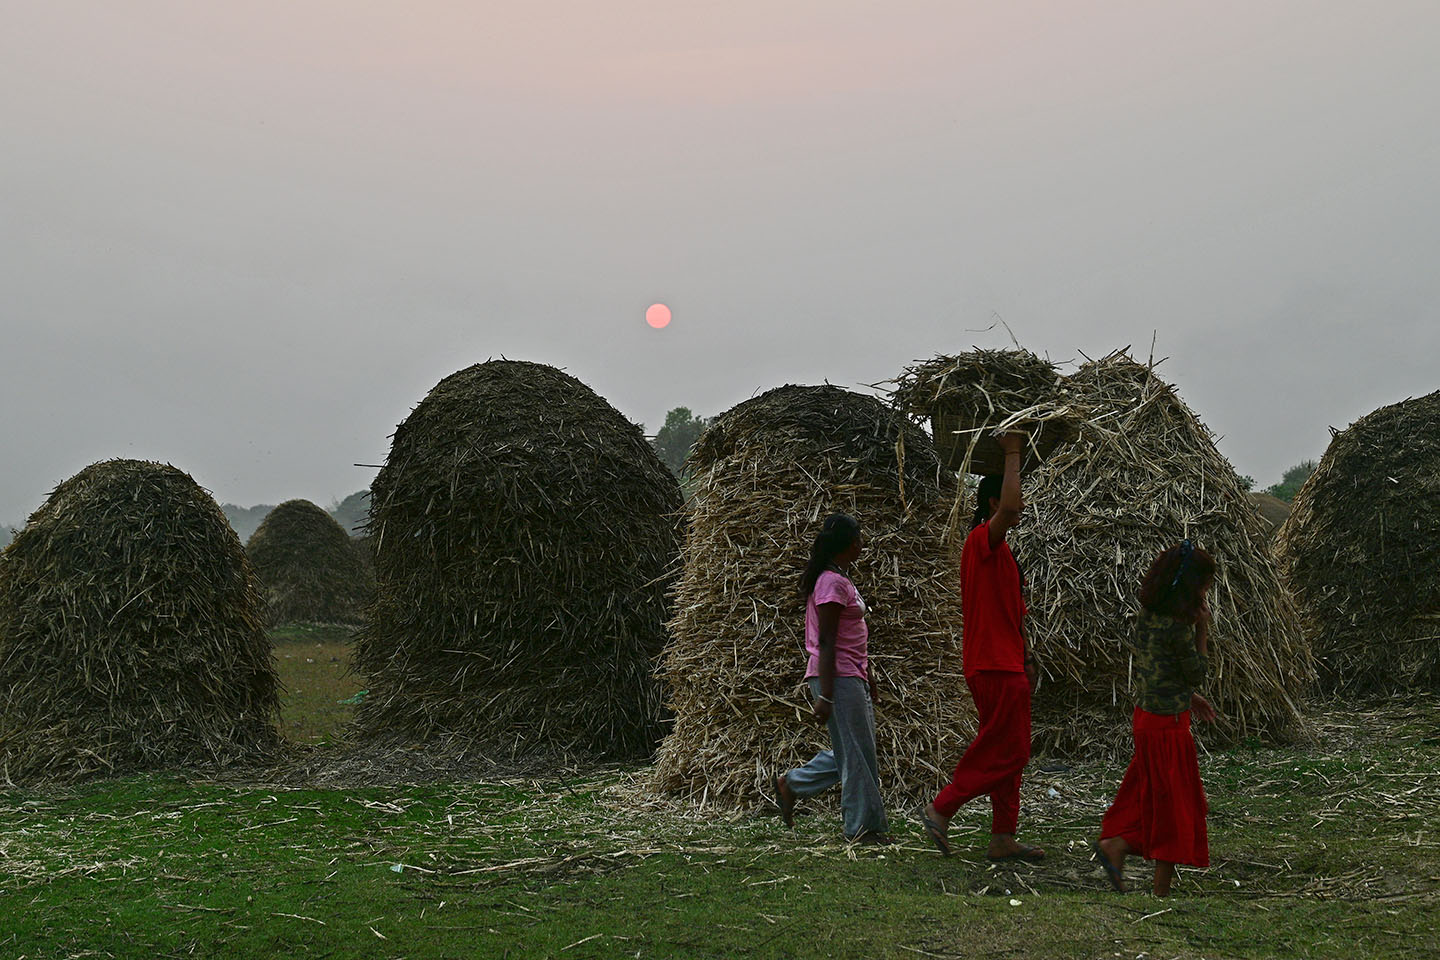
x=1362, y=552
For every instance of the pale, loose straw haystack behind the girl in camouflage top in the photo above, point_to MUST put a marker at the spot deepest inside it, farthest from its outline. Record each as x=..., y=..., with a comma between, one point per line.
x=1144, y=474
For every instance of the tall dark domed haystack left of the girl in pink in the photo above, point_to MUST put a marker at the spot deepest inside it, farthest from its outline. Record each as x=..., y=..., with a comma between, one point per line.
x=525, y=538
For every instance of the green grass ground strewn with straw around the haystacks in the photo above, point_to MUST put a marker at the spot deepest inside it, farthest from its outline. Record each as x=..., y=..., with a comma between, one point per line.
x=1328, y=851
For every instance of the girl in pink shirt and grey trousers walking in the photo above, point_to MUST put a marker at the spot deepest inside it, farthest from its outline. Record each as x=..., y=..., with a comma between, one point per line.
x=845, y=692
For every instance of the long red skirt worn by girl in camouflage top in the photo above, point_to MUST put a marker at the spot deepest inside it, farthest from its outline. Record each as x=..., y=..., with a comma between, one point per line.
x=1161, y=807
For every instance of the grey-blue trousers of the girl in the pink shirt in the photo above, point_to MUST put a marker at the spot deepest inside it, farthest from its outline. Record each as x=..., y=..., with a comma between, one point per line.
x=850, y=762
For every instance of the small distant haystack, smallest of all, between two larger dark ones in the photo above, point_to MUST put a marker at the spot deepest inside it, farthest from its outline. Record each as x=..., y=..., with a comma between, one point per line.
x=309, y=569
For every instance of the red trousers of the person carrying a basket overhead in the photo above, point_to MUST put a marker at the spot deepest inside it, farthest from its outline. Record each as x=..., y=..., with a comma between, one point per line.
x=999, y=753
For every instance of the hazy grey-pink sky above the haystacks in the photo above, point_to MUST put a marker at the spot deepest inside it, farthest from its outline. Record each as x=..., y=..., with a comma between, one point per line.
x=247, y=238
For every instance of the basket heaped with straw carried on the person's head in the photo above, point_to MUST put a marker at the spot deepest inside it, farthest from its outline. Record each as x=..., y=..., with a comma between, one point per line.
x=973, y=397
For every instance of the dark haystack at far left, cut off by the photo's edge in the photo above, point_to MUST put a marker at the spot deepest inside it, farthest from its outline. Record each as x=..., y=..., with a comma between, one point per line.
x=130, y=633
